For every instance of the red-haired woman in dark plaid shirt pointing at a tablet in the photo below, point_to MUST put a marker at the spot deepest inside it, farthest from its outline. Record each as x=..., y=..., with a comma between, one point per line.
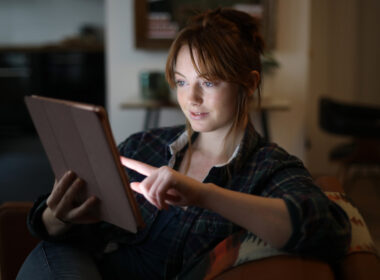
x=196, y=185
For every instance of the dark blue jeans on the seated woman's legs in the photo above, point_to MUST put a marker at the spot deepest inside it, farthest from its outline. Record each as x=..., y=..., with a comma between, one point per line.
x=60, y=261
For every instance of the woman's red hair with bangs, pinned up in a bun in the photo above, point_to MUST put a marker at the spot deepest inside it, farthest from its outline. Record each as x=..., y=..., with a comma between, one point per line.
x=228, y=47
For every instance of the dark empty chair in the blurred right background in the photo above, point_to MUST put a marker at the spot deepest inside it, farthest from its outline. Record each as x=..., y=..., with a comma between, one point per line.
x=362, y=124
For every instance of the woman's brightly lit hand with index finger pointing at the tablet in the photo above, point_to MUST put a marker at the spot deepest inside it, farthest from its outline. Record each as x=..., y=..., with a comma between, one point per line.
x=164, y=186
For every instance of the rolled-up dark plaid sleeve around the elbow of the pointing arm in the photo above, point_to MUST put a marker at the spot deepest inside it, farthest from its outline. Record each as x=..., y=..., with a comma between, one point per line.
x=320, y=227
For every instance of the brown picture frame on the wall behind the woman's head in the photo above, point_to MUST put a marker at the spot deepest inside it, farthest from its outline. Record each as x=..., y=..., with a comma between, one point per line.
x=158, y=21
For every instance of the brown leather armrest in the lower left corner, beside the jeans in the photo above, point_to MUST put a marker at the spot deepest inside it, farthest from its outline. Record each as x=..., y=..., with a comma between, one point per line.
x=15, y=239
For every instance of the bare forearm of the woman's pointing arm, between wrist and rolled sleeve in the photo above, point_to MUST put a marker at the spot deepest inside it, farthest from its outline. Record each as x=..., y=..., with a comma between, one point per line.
x=268, y=218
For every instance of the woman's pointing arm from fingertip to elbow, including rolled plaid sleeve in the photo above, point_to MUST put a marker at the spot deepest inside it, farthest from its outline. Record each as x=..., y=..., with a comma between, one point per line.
x=292, y=213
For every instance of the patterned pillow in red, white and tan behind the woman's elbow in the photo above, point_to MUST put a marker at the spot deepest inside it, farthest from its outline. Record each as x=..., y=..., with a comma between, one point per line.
x=243, y=247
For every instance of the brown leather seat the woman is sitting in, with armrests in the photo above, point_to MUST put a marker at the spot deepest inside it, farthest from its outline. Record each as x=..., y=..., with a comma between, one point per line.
x=16, y=243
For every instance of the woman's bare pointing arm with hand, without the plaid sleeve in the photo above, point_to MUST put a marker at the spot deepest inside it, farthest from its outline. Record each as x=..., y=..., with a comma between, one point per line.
x=268, y=218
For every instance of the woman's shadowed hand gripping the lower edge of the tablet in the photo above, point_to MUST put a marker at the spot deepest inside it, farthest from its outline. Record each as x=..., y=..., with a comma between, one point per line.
x=68, y=204
